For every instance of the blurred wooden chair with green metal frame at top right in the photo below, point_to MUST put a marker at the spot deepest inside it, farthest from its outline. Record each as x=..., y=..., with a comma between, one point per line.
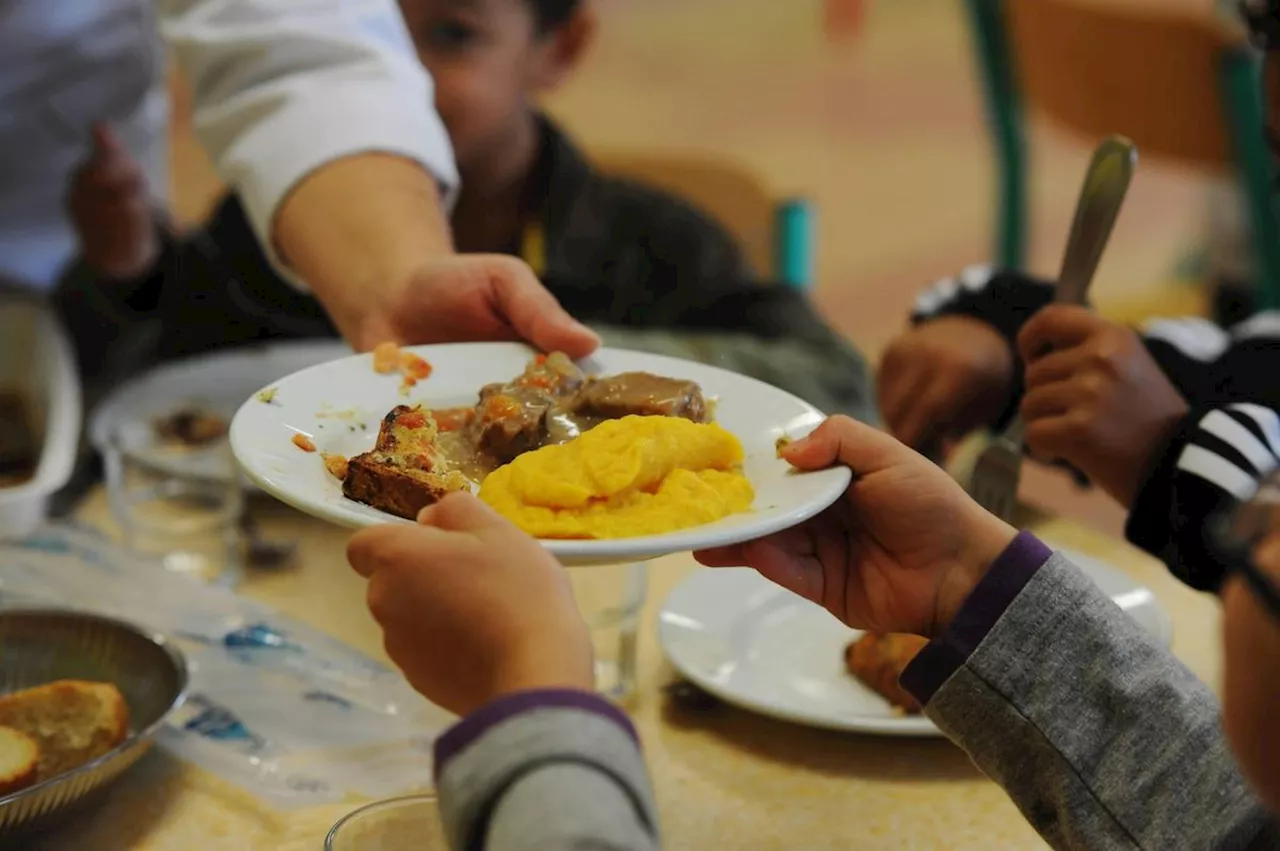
x=1183, y=86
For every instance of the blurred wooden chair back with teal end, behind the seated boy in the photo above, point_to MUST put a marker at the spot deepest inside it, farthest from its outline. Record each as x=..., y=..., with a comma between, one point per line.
x=776, y=235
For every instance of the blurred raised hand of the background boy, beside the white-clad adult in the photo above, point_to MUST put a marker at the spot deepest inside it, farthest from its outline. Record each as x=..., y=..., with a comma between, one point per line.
x=111, y=208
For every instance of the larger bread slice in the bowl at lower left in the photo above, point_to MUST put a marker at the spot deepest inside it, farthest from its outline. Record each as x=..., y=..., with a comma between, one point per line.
x=72, y=722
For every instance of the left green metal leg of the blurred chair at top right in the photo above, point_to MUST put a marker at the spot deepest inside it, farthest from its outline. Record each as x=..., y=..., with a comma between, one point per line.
x=1004, y=109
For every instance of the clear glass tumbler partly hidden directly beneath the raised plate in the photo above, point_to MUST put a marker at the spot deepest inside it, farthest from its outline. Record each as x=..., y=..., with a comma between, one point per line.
x=611, y=598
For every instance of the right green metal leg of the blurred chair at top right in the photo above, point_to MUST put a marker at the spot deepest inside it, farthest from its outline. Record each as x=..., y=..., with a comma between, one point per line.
x=1242, y=97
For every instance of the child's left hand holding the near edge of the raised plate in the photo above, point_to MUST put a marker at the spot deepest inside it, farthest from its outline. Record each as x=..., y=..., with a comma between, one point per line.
x=472, y=608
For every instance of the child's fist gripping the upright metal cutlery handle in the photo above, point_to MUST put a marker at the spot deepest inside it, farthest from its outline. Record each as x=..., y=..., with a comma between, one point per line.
x=1096, y=399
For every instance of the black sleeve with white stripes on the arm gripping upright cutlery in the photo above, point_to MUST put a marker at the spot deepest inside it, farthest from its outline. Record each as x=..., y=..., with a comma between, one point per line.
x=1224, y=447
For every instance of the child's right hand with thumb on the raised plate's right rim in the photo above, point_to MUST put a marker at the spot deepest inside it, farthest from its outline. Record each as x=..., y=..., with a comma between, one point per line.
x=899, y=553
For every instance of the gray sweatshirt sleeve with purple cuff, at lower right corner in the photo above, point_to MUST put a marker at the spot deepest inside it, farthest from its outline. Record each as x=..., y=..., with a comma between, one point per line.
x=1100, y=736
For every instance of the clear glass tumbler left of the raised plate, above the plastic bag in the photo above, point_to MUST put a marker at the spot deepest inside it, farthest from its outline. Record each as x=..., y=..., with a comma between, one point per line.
x=180, y=505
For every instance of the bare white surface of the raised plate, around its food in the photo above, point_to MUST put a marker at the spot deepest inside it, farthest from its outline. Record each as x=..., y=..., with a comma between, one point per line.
x=340, y=406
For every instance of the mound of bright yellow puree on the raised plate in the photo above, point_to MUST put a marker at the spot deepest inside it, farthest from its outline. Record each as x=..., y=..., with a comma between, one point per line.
x=624, y=479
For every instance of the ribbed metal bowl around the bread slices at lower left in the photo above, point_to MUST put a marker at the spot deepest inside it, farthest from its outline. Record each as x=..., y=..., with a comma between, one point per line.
x=43, y=646
